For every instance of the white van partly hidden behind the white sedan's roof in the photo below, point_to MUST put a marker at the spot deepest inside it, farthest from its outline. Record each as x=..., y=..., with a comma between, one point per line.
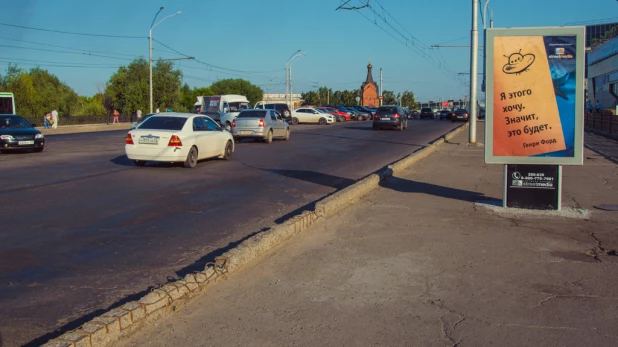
x=224, y=108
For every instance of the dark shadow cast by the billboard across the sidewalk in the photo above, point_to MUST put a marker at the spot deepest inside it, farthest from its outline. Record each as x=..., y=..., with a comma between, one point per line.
x=408, y=186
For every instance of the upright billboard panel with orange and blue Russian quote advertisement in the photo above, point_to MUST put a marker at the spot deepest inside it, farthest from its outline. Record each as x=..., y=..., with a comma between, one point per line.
x=535, y=96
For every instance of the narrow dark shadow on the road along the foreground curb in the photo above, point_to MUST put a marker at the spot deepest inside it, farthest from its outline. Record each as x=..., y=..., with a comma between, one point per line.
x=198, y=265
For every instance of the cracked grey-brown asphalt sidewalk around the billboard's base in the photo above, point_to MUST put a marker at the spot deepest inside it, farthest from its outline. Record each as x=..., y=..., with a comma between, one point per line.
x=415, y=264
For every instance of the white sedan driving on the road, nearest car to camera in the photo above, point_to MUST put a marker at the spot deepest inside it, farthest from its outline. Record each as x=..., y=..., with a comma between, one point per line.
x=178, y=137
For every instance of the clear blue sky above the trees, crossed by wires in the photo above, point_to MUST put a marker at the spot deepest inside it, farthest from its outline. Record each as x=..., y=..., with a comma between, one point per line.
x=258, y=37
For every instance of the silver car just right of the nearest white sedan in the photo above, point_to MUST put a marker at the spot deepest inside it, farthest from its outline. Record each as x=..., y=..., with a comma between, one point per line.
x=260, y=124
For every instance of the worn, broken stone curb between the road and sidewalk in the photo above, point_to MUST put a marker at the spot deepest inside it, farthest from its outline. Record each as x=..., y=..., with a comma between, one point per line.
x=118, y=322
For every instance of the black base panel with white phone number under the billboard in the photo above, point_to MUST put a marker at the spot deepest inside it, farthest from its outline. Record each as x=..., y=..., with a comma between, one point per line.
x=533, y=187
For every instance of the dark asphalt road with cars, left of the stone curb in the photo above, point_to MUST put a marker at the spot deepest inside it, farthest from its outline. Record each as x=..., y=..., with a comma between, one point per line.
x=83, y=229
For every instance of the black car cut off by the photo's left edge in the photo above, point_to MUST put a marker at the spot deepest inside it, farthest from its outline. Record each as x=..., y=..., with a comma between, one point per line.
x=16, y=134
